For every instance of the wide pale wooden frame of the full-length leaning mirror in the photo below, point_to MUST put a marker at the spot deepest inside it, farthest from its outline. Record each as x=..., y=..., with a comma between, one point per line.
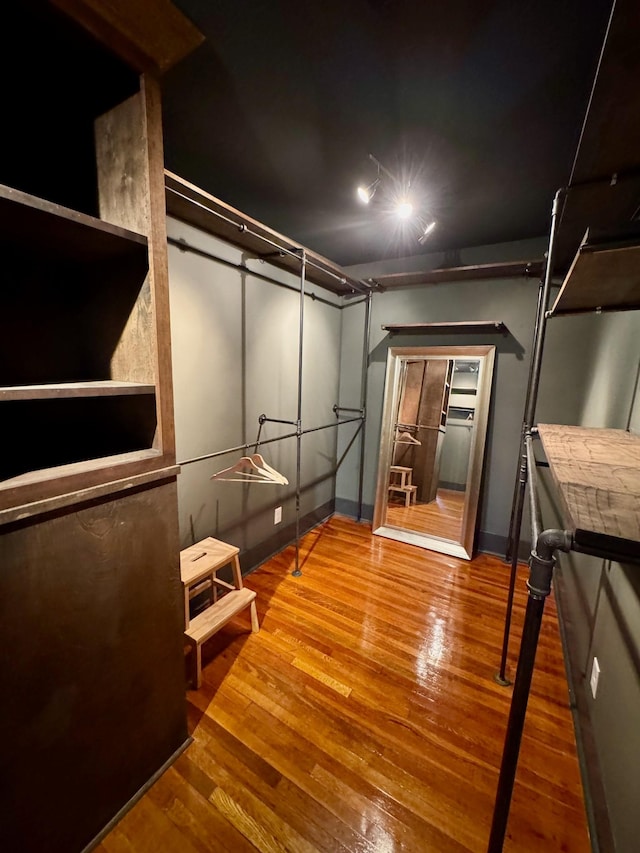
x=396, y=357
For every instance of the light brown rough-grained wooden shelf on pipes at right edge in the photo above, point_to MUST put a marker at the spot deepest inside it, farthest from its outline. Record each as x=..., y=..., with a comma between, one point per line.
x=597, y=473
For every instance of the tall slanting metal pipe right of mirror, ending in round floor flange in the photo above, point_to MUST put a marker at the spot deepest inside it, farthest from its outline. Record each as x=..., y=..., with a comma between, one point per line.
x=529, y=416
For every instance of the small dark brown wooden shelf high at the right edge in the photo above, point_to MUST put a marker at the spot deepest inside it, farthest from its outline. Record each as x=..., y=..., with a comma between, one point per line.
x=604, y=275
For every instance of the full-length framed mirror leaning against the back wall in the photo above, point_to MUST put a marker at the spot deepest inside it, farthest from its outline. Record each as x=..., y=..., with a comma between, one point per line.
x=434, y=423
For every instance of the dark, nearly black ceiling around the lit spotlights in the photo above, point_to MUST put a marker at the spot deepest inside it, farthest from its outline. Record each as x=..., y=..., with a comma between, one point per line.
x=479, y=104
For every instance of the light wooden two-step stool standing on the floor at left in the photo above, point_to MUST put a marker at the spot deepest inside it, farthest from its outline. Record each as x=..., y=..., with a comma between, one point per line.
x=199, y=565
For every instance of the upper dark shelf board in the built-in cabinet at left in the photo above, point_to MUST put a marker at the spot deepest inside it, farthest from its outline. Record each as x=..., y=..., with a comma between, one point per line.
x=32, y=224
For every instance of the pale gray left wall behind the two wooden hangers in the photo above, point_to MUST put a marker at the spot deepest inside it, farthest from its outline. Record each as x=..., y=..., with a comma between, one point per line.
x=235, y=341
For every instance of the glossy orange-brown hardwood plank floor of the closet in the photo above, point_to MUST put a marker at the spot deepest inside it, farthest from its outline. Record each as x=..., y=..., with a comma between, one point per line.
x=364, y=716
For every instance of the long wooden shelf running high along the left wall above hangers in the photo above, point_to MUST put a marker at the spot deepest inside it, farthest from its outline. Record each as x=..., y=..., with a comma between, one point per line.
x=194, y=206
